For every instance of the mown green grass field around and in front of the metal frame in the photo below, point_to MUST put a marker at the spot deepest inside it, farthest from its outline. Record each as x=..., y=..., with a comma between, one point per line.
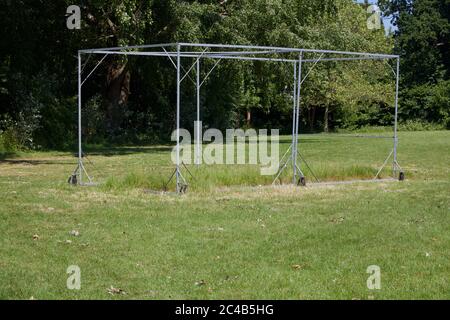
x=229, y=237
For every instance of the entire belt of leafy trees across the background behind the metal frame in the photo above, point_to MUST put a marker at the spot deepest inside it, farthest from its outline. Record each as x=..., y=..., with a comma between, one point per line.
x=38, y=67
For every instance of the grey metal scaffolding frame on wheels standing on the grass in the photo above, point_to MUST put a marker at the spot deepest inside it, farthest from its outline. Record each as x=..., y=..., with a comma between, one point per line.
x=174, y=52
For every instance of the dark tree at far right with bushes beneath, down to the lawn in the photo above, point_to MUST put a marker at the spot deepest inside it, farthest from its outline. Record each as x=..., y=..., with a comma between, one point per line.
x=422, y=40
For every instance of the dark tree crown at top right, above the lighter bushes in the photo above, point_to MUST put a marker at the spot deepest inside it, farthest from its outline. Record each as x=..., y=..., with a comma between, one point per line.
x=422, y=39
